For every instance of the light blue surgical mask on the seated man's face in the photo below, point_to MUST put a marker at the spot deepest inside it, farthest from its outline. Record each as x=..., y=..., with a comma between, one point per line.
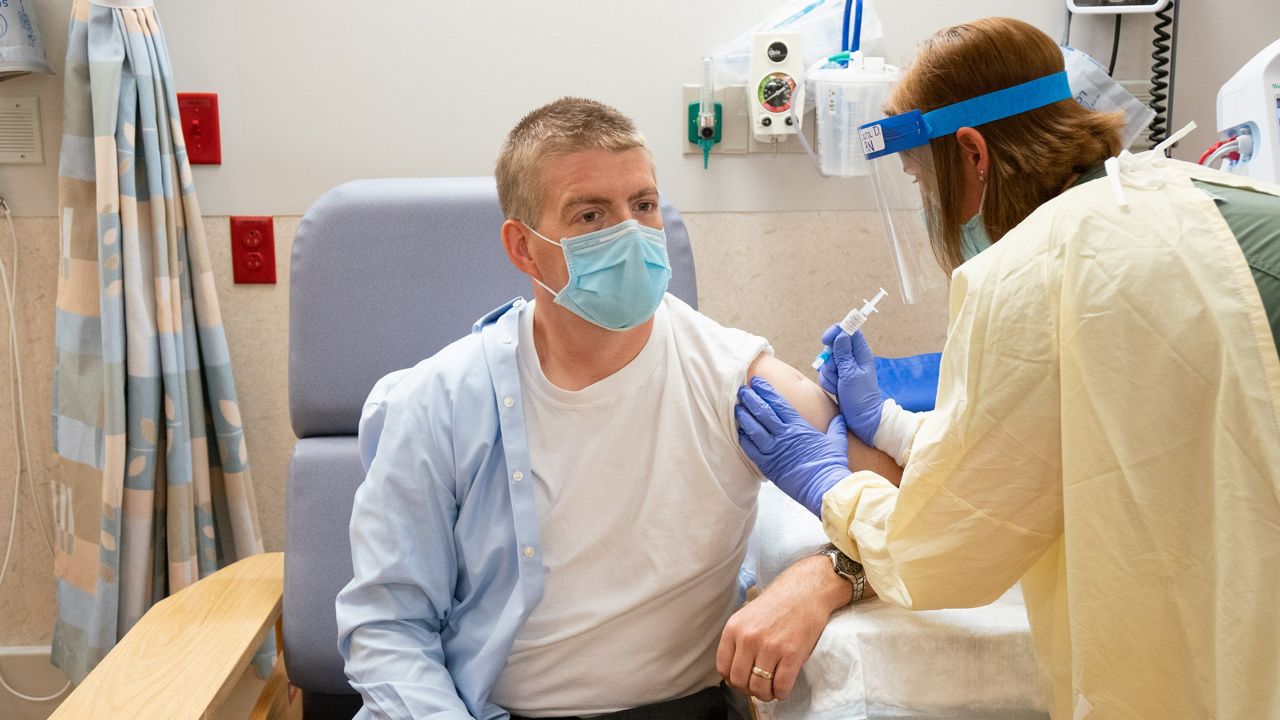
x=618, y=276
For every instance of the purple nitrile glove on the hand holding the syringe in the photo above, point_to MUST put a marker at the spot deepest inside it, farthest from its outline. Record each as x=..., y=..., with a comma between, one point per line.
x=851, y=376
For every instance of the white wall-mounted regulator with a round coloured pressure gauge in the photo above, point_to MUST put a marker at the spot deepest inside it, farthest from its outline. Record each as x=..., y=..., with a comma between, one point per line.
x=775, y=84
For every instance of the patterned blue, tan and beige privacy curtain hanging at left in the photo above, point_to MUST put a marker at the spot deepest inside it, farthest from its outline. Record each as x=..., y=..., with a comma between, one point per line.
x=157, y=490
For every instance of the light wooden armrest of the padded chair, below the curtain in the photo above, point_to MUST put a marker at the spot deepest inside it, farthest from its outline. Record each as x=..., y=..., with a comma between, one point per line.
x=188, y=653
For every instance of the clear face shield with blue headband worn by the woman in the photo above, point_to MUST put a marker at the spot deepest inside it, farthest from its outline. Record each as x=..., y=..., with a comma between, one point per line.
x=906, y=177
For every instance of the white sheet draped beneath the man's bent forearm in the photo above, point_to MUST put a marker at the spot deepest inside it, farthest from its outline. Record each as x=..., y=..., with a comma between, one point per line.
x=880, y=662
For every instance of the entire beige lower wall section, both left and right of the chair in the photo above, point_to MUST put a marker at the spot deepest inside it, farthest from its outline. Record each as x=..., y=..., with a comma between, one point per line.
x=787, y=276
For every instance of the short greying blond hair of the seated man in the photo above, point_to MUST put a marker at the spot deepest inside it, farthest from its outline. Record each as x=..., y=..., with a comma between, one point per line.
x=559, y=129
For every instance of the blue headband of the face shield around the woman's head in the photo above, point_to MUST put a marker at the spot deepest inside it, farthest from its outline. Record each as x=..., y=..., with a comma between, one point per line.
x=916, y=129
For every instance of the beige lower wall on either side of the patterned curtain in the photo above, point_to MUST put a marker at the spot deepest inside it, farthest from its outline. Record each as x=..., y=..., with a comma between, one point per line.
x=257, y=322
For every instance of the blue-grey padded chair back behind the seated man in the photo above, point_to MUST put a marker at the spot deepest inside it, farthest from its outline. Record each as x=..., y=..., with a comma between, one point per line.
x=386, y=274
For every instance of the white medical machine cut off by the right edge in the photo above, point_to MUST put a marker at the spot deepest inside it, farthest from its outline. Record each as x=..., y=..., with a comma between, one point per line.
x=1249, y=113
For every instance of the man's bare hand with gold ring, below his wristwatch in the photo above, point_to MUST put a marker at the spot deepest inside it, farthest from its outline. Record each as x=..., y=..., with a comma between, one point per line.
x=779, y=631
